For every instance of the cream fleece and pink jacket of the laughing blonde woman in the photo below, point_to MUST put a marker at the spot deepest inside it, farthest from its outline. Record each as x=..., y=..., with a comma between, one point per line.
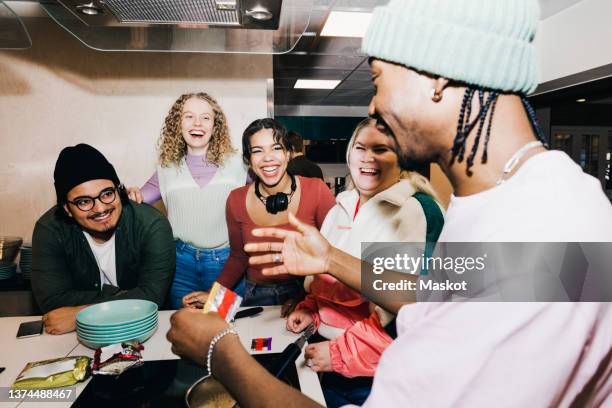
x=392, y=215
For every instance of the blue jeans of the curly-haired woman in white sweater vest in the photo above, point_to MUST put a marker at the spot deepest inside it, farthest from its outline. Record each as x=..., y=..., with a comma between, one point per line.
x=197, y=269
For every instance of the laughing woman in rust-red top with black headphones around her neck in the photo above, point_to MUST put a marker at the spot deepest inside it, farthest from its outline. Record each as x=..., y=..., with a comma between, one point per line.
x=267, y=202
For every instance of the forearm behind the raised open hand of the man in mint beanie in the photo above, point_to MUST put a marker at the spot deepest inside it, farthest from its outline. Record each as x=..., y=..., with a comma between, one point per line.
x=347, y=269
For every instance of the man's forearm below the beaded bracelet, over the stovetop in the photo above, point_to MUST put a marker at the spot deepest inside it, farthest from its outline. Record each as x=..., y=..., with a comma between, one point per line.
x=249, y=383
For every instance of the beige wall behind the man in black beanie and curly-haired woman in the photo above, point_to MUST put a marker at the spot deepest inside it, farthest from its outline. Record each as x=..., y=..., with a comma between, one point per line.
x=61, y=93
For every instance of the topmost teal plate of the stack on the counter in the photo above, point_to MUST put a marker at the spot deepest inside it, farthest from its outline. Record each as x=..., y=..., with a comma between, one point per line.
x=116, y=312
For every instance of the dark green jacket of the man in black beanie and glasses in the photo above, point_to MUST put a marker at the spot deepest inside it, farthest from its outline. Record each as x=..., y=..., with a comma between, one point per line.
x=65, y=272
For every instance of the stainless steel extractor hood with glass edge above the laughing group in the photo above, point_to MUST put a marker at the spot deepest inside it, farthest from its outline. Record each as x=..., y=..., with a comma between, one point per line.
x=216, y=26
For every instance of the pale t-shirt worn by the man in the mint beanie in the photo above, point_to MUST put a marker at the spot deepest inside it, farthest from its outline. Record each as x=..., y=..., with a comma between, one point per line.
x=507, y=354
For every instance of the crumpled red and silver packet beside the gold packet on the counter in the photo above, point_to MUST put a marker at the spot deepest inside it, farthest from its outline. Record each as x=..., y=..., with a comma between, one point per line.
x=116, y=358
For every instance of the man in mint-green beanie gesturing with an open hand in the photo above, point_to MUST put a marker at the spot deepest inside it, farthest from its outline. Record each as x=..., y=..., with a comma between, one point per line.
x=451, y=78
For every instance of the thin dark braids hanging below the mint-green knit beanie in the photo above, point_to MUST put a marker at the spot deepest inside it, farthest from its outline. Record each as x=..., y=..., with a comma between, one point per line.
x=488, y=101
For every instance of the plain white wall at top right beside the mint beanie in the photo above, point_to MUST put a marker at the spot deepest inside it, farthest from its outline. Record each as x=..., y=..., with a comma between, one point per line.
x=576, y=39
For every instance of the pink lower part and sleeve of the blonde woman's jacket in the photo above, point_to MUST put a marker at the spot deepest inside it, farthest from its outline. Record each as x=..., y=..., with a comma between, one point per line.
x=357, y=351
